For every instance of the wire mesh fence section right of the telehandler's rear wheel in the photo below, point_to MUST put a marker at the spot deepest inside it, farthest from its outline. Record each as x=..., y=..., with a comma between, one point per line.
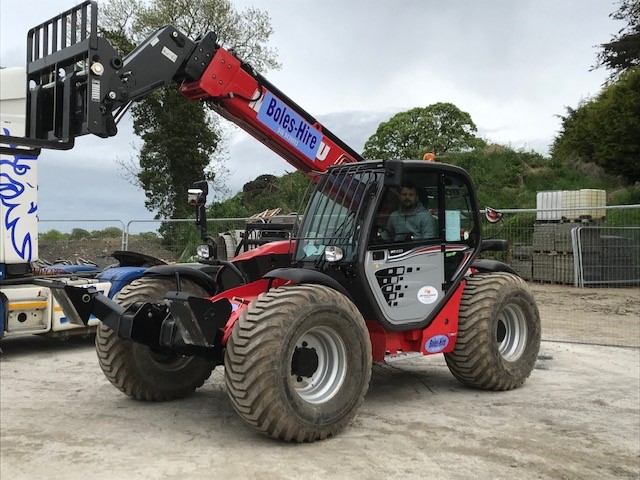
x=557, y=250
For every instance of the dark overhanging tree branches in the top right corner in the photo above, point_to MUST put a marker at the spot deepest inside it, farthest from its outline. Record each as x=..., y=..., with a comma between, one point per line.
x=622, y=53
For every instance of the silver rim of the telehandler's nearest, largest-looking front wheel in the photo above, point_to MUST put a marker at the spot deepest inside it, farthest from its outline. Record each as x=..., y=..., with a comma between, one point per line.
x=318, y=365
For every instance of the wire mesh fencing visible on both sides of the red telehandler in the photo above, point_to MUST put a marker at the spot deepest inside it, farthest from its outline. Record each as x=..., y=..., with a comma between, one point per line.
x=555, y=250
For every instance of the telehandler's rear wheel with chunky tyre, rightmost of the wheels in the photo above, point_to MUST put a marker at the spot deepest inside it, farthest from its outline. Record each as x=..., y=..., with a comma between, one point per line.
x=498, y=333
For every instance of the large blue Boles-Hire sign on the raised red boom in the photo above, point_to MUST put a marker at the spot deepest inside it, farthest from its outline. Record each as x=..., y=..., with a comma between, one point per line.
x=276, y=115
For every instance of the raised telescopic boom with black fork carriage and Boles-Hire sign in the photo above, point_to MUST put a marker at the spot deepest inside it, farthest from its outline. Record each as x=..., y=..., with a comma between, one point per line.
x=79, y=85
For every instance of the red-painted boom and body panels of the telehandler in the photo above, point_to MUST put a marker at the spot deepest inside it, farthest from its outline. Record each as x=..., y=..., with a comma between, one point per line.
x=237, y=94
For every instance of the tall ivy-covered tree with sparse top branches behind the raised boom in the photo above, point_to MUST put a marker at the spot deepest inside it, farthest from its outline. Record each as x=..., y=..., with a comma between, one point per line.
x=181, y=139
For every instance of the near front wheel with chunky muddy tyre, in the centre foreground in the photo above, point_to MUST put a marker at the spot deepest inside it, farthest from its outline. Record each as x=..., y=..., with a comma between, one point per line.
x=298, y=363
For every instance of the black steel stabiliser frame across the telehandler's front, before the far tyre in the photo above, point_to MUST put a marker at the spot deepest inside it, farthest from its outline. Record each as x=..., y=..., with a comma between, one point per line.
x=182, y=323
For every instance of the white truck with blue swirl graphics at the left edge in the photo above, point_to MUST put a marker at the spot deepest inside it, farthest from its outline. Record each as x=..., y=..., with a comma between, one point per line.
x=25, y=308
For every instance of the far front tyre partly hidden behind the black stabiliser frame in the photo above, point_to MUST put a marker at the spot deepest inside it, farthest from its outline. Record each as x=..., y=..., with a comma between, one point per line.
x=140, y=371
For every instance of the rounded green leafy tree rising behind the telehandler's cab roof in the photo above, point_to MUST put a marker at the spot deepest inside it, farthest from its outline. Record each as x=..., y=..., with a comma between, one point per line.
x=439, y=128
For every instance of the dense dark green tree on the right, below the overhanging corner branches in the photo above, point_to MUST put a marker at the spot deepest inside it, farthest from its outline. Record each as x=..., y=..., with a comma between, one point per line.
x=606, y=129
